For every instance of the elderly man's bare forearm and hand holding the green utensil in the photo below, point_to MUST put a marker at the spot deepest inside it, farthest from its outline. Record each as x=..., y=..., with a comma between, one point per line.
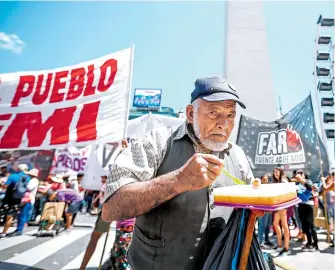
x=140, y=197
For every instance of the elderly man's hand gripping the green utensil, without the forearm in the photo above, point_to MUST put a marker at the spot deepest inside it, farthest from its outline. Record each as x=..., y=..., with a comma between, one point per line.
x=200, y=171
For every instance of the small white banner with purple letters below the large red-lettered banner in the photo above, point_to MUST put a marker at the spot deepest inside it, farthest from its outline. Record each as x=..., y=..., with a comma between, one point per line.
x=70, y=160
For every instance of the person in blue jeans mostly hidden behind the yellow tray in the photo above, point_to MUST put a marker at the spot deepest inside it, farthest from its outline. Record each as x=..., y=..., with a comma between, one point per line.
x=264, y=223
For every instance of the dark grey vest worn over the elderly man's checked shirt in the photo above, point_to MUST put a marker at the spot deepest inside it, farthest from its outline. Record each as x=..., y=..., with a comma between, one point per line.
x=168, y=237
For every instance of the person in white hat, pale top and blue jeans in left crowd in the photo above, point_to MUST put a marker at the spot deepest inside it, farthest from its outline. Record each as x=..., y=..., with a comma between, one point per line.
x=27, y=202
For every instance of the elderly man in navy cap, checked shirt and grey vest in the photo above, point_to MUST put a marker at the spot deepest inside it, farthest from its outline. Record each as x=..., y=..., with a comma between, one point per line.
x=166, y=179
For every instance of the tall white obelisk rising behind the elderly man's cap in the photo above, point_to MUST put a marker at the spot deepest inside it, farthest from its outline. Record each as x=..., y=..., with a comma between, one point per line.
x=247, y=61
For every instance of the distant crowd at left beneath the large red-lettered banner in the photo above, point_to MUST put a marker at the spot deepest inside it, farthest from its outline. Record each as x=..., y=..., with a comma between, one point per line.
x=23, y=196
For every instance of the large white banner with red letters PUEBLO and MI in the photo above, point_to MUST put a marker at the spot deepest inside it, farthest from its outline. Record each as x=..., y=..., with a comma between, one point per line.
x=75, y=105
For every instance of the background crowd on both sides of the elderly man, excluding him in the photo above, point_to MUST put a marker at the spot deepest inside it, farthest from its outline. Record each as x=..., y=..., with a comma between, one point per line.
x=23, y=196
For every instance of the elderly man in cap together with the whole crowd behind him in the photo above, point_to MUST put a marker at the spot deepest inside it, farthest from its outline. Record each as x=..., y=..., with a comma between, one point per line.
x=166, y=181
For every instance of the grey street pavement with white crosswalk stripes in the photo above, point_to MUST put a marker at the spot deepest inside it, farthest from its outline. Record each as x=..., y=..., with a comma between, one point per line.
x=66, y=251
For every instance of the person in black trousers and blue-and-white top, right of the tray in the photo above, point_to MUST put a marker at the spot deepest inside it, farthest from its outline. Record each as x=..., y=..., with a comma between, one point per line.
x=306, y=210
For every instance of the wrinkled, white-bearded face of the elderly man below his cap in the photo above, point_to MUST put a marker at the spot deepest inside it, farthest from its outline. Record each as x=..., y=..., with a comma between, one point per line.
x=212, y=122
